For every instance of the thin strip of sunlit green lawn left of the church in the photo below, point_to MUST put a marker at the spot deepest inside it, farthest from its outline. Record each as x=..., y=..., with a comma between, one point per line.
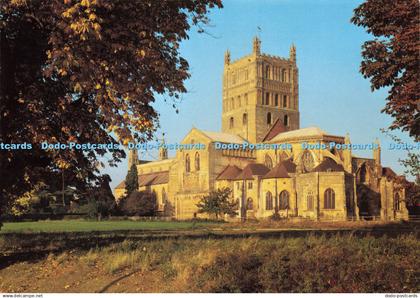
x=87, y=226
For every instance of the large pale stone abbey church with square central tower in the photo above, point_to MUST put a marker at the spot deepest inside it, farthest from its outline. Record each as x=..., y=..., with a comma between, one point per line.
x=261, y=106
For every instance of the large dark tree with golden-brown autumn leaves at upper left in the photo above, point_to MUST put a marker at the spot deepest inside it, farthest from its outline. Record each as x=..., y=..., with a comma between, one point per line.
x=85, y=71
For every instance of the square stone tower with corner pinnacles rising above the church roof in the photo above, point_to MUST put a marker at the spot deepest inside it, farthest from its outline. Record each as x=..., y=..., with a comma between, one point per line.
x=258, y=91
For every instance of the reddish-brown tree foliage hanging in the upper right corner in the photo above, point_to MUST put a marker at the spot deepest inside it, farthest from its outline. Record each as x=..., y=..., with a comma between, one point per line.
x=391, y=59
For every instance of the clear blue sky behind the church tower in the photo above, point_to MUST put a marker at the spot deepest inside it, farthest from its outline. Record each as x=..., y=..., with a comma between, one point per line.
x=333, y=94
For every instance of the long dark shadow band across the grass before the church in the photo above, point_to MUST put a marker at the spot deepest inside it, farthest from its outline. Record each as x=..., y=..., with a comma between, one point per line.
x=31, y=247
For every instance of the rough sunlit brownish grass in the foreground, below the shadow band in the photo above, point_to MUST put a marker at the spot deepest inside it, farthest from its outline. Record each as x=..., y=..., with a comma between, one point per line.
x=341, y=263
